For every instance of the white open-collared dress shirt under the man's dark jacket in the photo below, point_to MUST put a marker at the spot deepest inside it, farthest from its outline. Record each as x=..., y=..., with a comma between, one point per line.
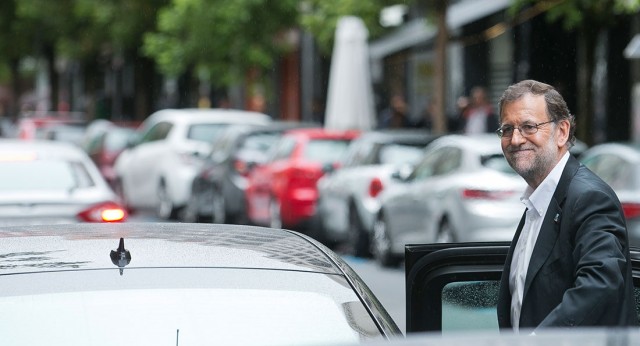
x=537, y=201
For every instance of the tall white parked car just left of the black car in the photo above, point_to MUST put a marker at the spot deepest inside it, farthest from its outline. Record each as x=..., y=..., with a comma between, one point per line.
x=157, y=170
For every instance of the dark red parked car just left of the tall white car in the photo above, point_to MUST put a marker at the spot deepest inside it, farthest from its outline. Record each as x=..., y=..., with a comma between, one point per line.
x=105, y=145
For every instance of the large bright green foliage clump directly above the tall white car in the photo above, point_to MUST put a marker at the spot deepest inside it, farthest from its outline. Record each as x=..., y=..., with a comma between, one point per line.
x=222, y=38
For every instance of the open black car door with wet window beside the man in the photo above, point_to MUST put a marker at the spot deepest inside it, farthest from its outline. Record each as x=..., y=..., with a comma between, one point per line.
x=454, y=287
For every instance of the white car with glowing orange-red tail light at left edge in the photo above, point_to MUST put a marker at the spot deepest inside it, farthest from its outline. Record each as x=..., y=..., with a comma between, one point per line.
x=49, y=182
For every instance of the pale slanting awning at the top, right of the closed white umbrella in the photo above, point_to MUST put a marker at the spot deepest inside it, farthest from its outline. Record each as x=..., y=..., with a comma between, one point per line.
x=420, y=31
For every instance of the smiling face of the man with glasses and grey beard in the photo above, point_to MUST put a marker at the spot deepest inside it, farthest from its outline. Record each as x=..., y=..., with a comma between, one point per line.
x=533, y=155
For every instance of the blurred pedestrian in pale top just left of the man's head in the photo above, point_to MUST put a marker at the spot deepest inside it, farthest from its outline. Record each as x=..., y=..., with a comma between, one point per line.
x=478, y=116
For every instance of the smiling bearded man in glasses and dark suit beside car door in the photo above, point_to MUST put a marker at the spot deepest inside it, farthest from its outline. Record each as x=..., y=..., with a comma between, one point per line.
x=569, y=262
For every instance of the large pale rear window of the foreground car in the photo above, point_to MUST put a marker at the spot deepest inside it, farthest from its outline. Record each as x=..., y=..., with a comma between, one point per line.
x=195, y=306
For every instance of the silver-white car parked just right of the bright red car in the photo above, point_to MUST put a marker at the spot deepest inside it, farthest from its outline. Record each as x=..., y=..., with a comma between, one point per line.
x=348, y=197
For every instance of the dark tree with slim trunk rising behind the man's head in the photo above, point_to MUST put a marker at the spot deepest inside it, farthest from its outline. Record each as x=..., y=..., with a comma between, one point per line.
x=588, y=18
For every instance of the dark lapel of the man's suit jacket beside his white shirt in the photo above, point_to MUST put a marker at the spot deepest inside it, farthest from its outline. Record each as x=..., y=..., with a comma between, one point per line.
x=550, y=228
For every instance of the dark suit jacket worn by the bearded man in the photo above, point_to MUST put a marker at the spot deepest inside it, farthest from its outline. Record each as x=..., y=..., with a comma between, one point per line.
x=580, y=268
